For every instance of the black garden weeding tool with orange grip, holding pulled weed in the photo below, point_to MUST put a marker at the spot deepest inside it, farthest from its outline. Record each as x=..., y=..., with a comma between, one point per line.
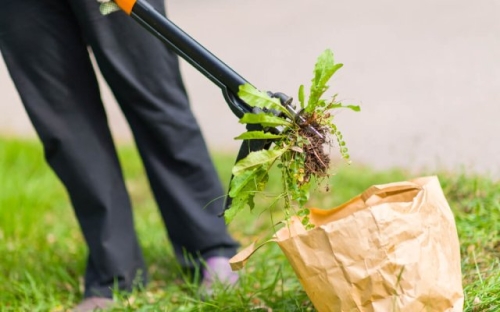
x=209, y=65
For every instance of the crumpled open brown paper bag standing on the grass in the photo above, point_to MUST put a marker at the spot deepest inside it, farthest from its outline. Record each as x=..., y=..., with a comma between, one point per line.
x=392, y=248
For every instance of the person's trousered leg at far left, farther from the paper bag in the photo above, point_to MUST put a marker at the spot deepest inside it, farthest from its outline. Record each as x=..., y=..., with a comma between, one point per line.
x=43, y=49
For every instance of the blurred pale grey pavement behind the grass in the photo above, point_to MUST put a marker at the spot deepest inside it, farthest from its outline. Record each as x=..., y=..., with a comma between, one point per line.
x=426, y=74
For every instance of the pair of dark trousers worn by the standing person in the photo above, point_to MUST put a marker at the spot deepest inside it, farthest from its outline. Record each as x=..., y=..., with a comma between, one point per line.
x=45, y=46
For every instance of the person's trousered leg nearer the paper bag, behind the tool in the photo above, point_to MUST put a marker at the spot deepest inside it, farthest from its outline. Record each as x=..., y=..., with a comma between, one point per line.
x=144, y=76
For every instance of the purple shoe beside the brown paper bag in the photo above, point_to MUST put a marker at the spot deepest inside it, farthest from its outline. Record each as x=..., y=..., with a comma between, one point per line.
x=217, y=270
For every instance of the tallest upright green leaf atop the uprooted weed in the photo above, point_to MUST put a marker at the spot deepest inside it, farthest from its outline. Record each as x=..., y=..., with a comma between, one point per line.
x=323, y=70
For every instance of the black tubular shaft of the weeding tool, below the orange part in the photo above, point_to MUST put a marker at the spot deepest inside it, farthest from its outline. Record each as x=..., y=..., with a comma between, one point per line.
x=194, y=53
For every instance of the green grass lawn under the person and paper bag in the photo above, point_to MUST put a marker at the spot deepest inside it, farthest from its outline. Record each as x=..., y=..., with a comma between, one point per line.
x=42, y=254
